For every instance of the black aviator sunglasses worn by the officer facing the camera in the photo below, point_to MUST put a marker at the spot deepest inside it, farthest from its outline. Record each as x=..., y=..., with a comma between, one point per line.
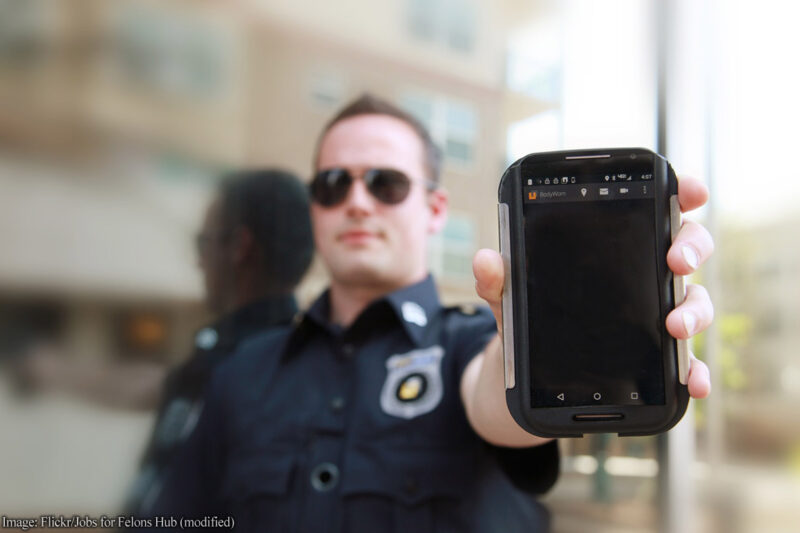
x=330, y=187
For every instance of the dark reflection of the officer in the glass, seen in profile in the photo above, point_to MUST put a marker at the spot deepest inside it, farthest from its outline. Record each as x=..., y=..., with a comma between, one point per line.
x=253, y=249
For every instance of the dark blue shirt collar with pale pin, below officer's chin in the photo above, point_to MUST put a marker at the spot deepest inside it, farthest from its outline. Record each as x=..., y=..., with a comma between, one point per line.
x=414, y=306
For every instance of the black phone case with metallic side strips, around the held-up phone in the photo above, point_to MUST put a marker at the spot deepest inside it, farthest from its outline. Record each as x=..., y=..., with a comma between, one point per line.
x=553, y=421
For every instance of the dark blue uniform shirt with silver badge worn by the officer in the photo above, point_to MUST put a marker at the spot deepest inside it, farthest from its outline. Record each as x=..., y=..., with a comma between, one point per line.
x=321, y=429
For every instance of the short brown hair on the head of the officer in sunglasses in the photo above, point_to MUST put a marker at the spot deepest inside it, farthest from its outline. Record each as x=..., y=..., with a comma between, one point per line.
x=368, y=104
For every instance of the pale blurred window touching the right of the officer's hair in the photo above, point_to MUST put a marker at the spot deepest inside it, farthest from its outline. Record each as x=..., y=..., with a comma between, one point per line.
x=453, y=124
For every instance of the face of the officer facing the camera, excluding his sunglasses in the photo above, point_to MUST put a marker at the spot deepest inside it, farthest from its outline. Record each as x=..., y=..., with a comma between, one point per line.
x=363, y=241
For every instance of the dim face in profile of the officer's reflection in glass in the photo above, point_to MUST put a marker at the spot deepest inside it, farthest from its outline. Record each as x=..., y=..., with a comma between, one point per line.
x=214, y=258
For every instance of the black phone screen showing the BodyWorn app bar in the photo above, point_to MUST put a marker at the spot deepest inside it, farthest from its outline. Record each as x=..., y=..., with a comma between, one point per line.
x=593, y=295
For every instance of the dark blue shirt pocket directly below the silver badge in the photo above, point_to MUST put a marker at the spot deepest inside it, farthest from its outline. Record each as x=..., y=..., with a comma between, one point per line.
x=405, y=489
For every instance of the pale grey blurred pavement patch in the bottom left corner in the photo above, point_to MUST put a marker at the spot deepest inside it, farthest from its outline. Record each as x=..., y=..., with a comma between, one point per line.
x=60, y=456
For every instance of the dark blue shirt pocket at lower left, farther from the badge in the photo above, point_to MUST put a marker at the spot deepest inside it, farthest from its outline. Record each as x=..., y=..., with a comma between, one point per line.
x=256, y=489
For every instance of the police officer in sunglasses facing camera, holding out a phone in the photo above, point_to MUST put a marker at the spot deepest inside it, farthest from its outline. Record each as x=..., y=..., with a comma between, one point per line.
x=381, y=410
